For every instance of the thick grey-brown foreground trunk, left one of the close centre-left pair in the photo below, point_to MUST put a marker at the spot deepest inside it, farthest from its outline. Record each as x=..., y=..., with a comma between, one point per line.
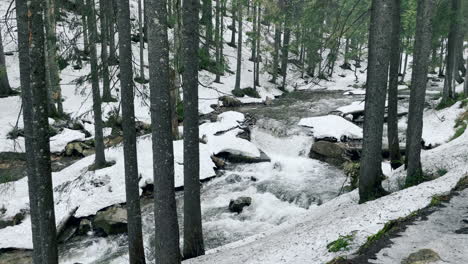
x=167, y=229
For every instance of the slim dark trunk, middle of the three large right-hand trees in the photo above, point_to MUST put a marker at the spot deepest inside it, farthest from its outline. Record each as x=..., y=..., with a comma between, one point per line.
x=392, y=121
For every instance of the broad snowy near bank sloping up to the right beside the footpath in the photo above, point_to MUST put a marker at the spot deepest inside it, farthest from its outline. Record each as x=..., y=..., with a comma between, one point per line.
x=304, y=239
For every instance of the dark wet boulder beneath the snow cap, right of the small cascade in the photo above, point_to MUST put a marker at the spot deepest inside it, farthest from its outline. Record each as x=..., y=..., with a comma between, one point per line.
x=329, y=152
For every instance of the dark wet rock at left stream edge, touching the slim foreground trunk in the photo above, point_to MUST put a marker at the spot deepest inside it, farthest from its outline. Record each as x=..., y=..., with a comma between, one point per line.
x=111, y=221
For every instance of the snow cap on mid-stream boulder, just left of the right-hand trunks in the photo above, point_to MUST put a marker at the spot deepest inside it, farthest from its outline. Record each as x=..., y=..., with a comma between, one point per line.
x=332, y=126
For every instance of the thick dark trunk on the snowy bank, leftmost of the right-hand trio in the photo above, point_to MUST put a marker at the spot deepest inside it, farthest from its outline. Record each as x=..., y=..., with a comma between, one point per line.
x=370, y=182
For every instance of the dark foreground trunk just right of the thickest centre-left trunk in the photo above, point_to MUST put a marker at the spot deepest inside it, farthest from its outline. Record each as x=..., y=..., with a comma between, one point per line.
x=193, y=235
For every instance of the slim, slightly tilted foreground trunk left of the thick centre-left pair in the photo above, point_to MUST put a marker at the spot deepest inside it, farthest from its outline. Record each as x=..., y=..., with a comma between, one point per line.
x=132, y=190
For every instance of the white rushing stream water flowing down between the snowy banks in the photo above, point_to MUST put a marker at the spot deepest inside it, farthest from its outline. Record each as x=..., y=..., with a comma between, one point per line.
x=282, y=189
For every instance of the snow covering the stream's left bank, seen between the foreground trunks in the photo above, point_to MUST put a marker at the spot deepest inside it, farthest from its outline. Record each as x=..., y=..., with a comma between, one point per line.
x=89, y=191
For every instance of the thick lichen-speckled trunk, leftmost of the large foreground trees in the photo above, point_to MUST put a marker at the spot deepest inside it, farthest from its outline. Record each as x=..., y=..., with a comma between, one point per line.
x=33, y=76
